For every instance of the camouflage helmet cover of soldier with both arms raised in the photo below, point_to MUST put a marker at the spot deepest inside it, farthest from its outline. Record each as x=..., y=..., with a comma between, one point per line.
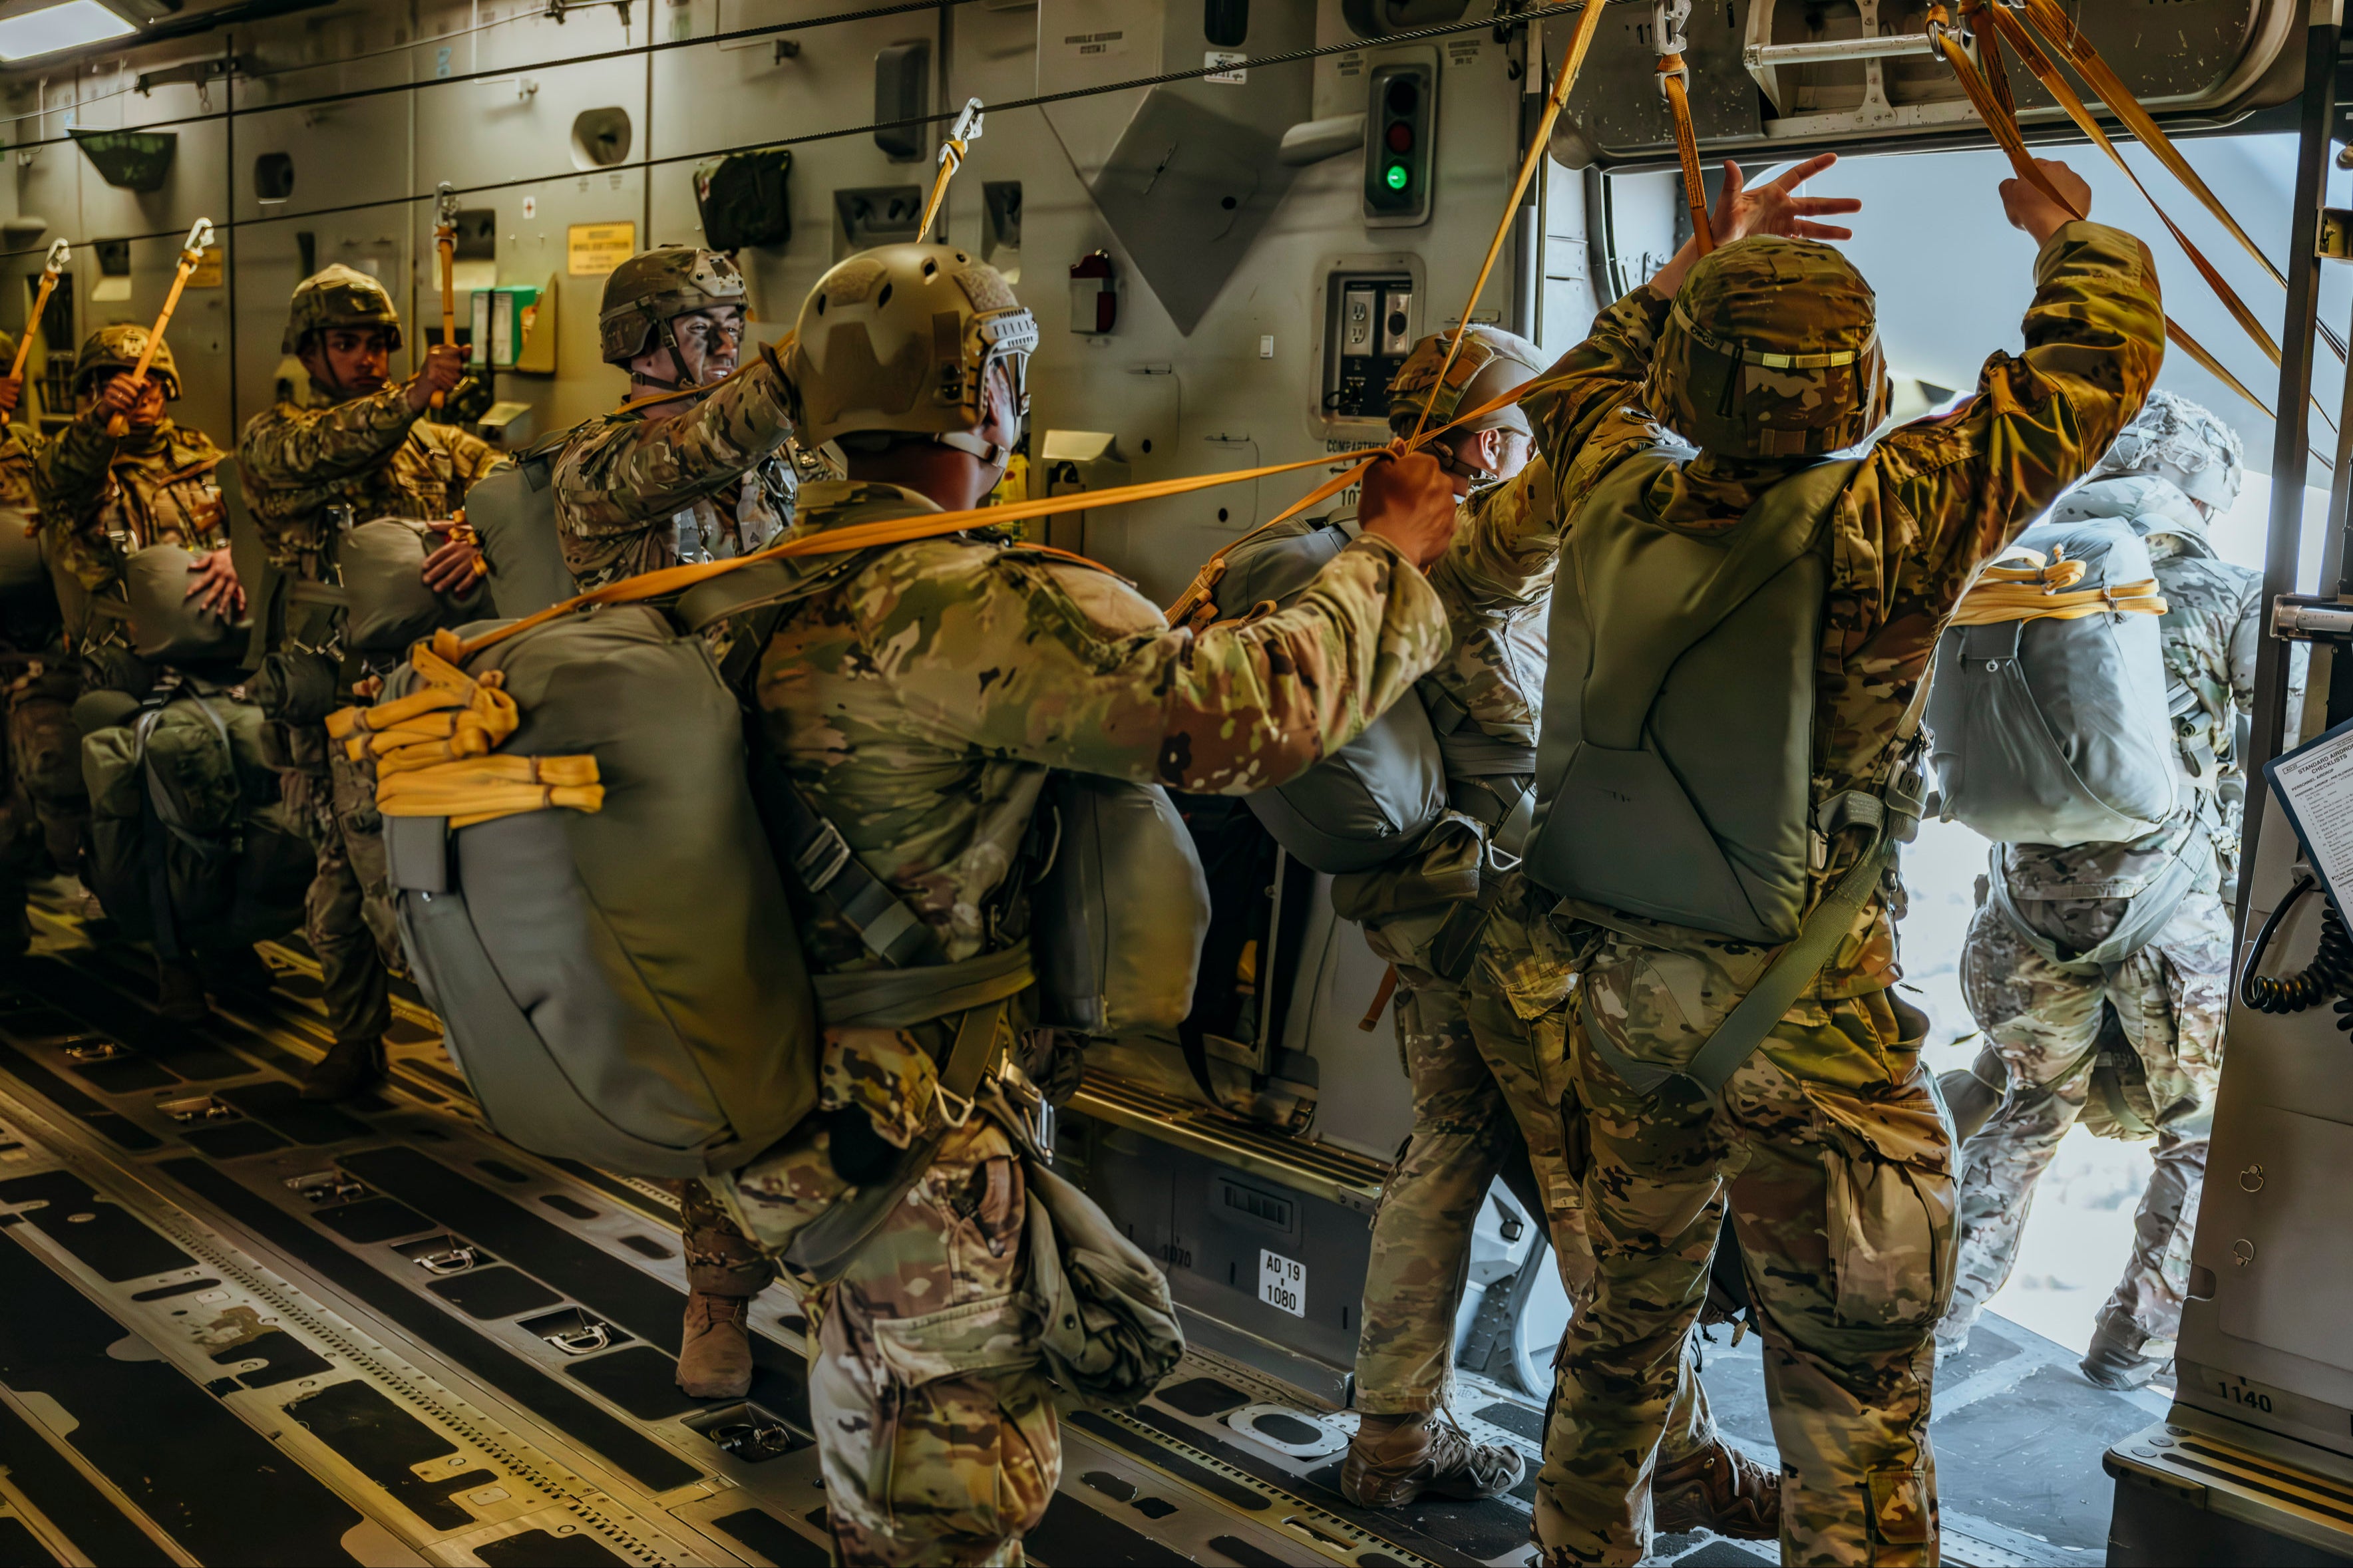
x=1773, y=351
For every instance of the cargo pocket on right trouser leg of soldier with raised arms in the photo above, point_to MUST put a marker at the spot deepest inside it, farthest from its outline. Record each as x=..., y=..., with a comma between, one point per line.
x=1888, y=1172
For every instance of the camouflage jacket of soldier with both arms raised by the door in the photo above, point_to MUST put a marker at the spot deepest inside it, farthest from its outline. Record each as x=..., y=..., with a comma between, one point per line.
x=1928, y=504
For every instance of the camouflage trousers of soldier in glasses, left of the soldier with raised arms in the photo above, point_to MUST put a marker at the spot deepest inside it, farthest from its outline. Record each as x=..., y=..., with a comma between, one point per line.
x=1484, y=1083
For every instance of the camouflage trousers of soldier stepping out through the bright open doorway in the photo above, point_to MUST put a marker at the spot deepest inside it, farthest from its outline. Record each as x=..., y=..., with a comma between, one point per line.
x=2173, y=1000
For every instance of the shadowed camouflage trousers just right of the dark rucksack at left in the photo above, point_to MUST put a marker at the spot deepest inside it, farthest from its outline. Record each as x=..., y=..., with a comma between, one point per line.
x=349, y=909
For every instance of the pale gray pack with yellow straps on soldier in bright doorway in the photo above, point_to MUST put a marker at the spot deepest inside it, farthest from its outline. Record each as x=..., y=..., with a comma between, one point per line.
x=2053, y=728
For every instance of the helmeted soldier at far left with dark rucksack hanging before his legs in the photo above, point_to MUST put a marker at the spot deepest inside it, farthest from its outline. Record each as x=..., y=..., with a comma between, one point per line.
x=107, y=497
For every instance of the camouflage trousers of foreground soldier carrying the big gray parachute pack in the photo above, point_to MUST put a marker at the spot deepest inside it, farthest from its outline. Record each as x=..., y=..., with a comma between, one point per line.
x=935, y=1419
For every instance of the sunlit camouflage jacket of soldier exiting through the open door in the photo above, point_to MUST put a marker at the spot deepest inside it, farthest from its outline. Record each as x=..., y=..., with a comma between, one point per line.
x=2213, y=629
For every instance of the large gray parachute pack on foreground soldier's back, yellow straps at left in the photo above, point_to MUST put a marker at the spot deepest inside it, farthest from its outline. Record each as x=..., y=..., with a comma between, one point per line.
x=620, y=986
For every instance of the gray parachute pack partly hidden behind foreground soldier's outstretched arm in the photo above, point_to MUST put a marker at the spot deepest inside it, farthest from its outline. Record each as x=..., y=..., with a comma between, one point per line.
x=1371, y=800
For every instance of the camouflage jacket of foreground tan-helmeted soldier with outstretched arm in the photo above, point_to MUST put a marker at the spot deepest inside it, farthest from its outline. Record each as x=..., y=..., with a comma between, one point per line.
x=921, y=695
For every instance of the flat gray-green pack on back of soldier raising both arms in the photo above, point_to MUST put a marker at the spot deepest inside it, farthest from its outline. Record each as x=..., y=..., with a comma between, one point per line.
x=1674, y=768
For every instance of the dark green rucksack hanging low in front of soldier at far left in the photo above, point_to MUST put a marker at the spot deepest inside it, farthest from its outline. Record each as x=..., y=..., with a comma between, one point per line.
x=189, y=845
